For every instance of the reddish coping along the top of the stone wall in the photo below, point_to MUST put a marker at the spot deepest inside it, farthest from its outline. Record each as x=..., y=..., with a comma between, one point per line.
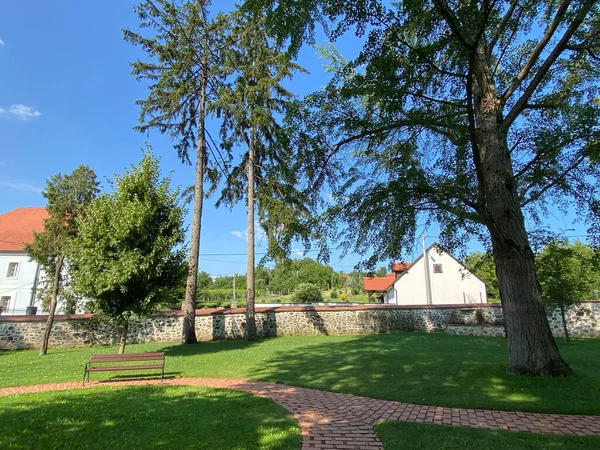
x=259, y=309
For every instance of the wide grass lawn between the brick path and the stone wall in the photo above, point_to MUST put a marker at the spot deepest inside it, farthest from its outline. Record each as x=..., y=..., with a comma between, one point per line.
x=431, y=369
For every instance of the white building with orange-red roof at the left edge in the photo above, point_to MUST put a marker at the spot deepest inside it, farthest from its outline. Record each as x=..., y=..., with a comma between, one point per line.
x=19, y=276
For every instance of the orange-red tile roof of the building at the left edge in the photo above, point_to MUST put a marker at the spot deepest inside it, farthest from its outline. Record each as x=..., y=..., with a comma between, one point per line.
x=17, y=227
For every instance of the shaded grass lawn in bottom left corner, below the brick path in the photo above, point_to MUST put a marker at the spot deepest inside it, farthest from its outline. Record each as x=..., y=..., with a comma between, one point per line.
x=146, y=417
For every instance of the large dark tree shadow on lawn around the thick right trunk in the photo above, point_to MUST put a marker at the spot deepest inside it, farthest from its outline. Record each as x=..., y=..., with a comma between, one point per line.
x=435, y=369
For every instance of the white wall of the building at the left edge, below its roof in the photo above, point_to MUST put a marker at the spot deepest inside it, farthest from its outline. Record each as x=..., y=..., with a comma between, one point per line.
x=17, y=288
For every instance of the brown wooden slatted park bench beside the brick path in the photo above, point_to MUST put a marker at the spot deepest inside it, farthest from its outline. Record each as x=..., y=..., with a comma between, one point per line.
x=97, y=363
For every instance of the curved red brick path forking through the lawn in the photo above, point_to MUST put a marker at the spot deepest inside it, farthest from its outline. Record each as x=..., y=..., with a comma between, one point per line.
x=332, y=420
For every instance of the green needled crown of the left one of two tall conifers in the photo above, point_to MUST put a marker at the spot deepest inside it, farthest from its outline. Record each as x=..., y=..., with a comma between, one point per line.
x=182, y=54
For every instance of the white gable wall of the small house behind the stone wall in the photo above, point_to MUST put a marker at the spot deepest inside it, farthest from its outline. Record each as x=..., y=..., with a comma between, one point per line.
x=454, y=285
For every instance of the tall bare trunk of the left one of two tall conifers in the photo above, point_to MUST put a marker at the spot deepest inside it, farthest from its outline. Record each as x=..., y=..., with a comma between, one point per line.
x=189, y=306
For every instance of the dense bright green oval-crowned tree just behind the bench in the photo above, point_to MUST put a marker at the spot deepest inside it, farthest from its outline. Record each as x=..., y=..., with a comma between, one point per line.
x=128, y=254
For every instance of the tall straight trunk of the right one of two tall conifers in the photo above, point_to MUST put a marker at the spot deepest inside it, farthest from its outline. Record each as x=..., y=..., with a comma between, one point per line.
x=250, y=332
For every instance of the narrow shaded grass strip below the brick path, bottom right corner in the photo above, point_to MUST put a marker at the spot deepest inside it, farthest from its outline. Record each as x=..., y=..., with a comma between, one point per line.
x=407, y=436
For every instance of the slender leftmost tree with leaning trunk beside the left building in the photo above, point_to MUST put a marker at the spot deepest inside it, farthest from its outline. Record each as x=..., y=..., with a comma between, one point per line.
x=67, y=197
